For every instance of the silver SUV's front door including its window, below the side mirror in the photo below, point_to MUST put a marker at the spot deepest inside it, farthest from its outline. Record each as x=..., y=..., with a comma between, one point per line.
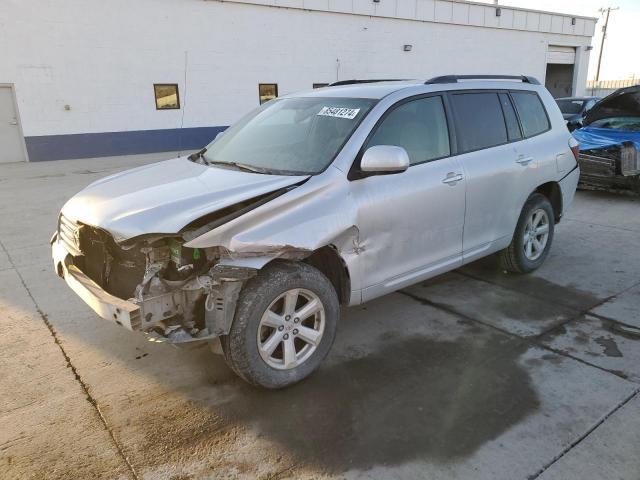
x=411, y=223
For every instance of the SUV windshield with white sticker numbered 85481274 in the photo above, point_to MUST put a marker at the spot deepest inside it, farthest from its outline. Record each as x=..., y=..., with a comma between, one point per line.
x=291, y=136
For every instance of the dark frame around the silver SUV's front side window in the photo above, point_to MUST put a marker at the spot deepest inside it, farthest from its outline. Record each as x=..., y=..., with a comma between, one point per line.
x=355, y=173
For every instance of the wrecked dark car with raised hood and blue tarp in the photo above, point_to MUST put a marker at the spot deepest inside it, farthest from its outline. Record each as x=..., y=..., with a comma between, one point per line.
x=610, y=143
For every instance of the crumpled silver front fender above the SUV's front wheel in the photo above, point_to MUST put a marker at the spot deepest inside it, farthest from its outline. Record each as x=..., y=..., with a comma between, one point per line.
x=292, y=226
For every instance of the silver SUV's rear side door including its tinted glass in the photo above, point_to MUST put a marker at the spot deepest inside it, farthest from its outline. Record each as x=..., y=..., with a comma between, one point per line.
x=497, y=167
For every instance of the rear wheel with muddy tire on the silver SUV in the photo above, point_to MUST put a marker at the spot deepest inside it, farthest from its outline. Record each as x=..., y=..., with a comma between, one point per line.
x=516, y=258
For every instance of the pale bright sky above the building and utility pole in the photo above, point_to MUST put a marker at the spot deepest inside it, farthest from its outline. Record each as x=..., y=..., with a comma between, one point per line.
x=621, y=57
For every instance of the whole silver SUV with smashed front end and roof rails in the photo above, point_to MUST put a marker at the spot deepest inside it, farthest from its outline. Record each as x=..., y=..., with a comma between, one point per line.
x=315, y=200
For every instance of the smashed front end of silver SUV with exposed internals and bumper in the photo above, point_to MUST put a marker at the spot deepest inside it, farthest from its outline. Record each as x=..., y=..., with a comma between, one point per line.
x=152, y=284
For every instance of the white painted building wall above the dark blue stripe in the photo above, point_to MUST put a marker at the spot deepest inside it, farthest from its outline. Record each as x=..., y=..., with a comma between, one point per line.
x=101, y=58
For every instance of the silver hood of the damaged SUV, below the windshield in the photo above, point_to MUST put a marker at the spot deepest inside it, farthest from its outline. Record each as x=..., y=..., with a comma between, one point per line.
x=164, y=197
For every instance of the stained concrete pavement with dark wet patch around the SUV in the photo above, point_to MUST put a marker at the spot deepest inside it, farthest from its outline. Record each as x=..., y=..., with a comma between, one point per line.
x=475, y=374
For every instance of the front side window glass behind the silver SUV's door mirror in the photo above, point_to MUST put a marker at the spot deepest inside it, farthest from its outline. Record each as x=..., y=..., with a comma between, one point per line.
x=418, y=126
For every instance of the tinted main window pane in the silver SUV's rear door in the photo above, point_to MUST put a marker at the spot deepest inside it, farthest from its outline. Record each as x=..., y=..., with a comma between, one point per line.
x=479, y=119
